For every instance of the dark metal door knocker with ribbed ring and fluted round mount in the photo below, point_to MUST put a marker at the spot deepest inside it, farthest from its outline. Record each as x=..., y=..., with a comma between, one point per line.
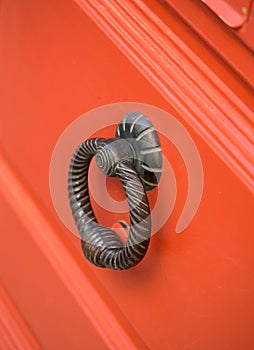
x=135, y=157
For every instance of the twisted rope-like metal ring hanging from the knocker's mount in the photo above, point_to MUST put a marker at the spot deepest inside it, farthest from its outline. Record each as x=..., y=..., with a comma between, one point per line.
x=100, y=244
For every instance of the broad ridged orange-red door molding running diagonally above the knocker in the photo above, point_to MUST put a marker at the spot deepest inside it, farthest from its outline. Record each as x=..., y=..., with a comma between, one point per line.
x=198, y=94
